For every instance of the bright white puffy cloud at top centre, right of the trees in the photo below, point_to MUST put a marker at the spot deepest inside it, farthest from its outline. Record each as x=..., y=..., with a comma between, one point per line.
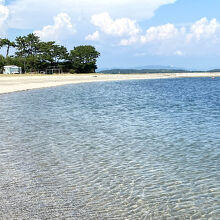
x=117, y=27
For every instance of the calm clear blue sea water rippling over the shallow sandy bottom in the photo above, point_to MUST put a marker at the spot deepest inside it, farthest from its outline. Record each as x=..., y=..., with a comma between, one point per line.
x=147, y=149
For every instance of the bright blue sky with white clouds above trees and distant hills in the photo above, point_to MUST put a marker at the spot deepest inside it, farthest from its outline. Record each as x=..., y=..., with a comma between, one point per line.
x=127, y=33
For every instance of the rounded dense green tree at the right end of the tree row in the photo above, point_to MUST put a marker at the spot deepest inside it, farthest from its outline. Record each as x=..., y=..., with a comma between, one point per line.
x=83, y=59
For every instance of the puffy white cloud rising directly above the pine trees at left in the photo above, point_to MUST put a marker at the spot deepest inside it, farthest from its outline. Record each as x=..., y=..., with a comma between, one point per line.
x=61, y=29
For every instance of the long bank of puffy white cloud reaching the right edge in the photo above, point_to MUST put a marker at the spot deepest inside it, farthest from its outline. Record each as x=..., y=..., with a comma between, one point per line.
x=202, y=37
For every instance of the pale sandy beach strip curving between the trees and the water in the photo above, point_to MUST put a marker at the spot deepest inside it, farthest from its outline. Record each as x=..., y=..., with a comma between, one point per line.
x=17, y=83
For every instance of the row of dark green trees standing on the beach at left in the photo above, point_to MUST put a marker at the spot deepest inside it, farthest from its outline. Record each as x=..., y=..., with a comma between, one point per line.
x=34, y=55
